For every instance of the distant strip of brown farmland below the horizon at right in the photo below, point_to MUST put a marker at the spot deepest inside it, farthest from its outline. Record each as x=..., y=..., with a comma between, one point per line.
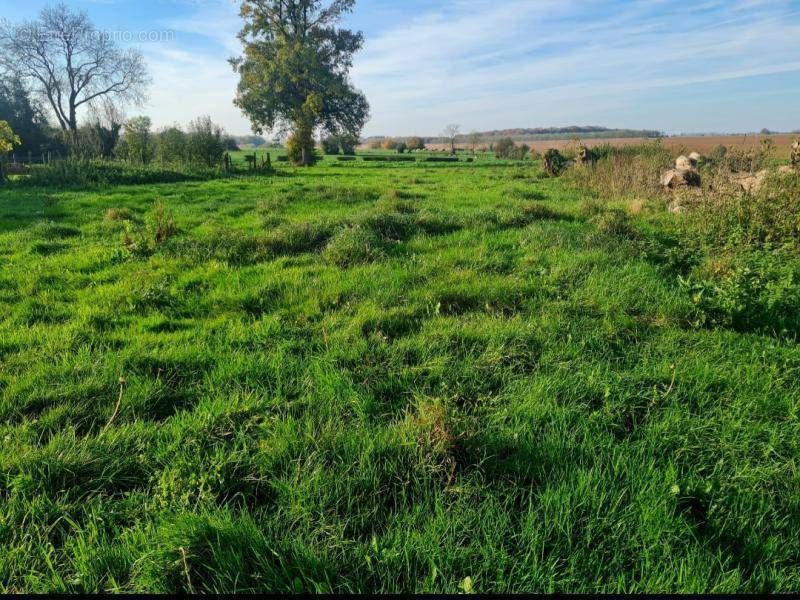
x=677, y=144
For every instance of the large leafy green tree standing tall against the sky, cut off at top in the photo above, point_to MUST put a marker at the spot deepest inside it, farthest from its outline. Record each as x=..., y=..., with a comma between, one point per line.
x=294, y=71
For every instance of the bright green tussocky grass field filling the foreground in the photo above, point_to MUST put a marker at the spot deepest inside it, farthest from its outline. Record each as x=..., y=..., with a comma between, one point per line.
x=380, y=378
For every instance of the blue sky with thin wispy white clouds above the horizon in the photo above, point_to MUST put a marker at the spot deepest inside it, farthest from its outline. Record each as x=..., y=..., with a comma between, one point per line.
x=707, y=65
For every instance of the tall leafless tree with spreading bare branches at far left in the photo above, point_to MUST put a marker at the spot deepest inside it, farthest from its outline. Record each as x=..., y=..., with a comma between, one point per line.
x=70, y=63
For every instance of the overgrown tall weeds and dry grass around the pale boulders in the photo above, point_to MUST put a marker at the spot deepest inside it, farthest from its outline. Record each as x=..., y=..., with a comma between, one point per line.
x=745, y=245
